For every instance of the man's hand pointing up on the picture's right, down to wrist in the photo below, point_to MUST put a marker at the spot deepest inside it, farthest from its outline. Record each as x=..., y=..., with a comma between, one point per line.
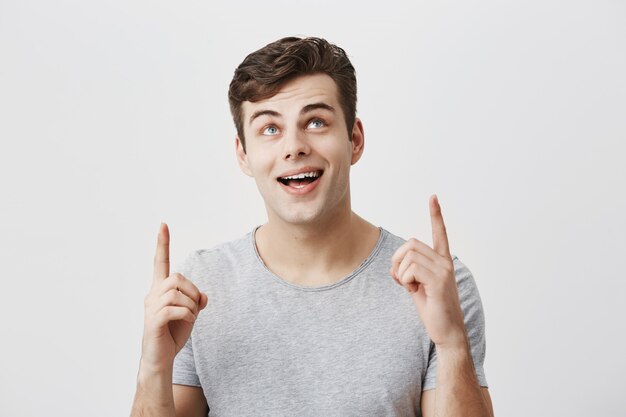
x=428, y=274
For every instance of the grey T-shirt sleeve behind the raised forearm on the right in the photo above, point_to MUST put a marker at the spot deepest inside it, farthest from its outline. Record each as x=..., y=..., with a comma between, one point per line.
x=474, y=318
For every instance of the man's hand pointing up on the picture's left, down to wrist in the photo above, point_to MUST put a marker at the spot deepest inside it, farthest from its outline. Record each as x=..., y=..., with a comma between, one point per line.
x=170, y=310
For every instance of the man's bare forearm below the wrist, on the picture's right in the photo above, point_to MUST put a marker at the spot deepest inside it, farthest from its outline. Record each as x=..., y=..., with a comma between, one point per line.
x=458, y=391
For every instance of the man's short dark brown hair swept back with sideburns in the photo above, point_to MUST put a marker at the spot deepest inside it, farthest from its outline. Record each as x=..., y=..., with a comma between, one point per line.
x=263, y=72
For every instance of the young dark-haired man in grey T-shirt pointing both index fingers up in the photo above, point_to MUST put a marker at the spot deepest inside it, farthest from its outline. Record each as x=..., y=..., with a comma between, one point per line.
x=316, y=312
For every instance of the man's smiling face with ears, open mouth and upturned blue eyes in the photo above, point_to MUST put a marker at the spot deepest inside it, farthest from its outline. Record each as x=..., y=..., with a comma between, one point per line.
x=300, y=131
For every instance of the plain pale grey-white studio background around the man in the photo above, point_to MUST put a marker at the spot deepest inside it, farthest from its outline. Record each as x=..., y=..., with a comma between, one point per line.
x=114, y=117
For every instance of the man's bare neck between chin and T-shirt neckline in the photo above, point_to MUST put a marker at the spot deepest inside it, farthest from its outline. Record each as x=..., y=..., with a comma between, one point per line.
x=316, y=254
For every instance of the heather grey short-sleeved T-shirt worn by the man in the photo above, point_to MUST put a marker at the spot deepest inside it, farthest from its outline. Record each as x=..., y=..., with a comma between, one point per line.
x=267, y=347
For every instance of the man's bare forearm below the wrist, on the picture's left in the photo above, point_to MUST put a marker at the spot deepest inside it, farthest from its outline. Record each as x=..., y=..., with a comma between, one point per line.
x=154, y=396
